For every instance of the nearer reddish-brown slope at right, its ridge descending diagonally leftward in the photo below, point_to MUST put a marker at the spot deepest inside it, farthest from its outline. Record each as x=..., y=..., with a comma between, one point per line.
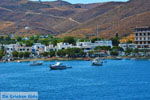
x=122, y=19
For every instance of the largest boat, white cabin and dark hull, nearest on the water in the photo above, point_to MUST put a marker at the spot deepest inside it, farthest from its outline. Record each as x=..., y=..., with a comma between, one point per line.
x=58, y=66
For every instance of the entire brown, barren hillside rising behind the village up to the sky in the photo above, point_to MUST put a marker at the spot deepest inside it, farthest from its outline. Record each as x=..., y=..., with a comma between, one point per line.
x=23, y=17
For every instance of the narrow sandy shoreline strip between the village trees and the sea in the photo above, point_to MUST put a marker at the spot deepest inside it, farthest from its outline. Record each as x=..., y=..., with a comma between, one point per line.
x=84, y=59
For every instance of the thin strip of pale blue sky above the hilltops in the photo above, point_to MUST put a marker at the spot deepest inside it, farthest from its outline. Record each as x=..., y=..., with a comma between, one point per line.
x=85, y=1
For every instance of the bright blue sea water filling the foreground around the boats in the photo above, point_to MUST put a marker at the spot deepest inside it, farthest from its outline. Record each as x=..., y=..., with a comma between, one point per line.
x=115, y=80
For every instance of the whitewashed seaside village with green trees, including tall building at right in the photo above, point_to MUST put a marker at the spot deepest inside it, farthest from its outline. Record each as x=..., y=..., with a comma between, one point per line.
x=42, y=47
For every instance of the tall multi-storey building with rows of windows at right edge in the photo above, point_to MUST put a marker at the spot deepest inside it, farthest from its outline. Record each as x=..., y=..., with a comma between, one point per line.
x=142, y=37
